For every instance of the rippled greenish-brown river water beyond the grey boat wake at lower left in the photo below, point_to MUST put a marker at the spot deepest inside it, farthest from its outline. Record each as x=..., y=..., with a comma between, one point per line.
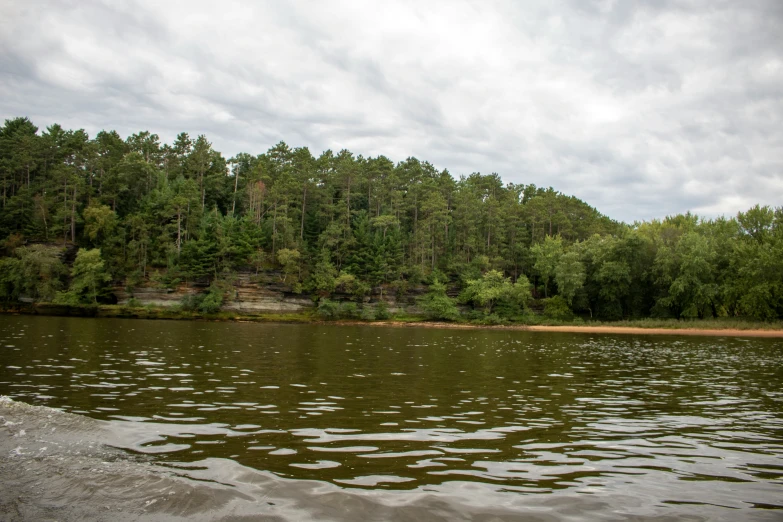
x=570, y=426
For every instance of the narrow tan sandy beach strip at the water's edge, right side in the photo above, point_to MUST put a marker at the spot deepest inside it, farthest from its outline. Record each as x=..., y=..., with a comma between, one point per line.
x=622, y=330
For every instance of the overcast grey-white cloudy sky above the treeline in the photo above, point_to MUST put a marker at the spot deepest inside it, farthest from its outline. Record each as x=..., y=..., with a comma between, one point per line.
x=643, y=109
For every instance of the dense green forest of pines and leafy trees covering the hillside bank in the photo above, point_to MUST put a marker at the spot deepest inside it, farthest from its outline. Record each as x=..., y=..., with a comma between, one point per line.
x=80, y=216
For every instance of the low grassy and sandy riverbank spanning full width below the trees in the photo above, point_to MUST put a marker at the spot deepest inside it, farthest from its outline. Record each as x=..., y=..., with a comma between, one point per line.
x=706, y=327
